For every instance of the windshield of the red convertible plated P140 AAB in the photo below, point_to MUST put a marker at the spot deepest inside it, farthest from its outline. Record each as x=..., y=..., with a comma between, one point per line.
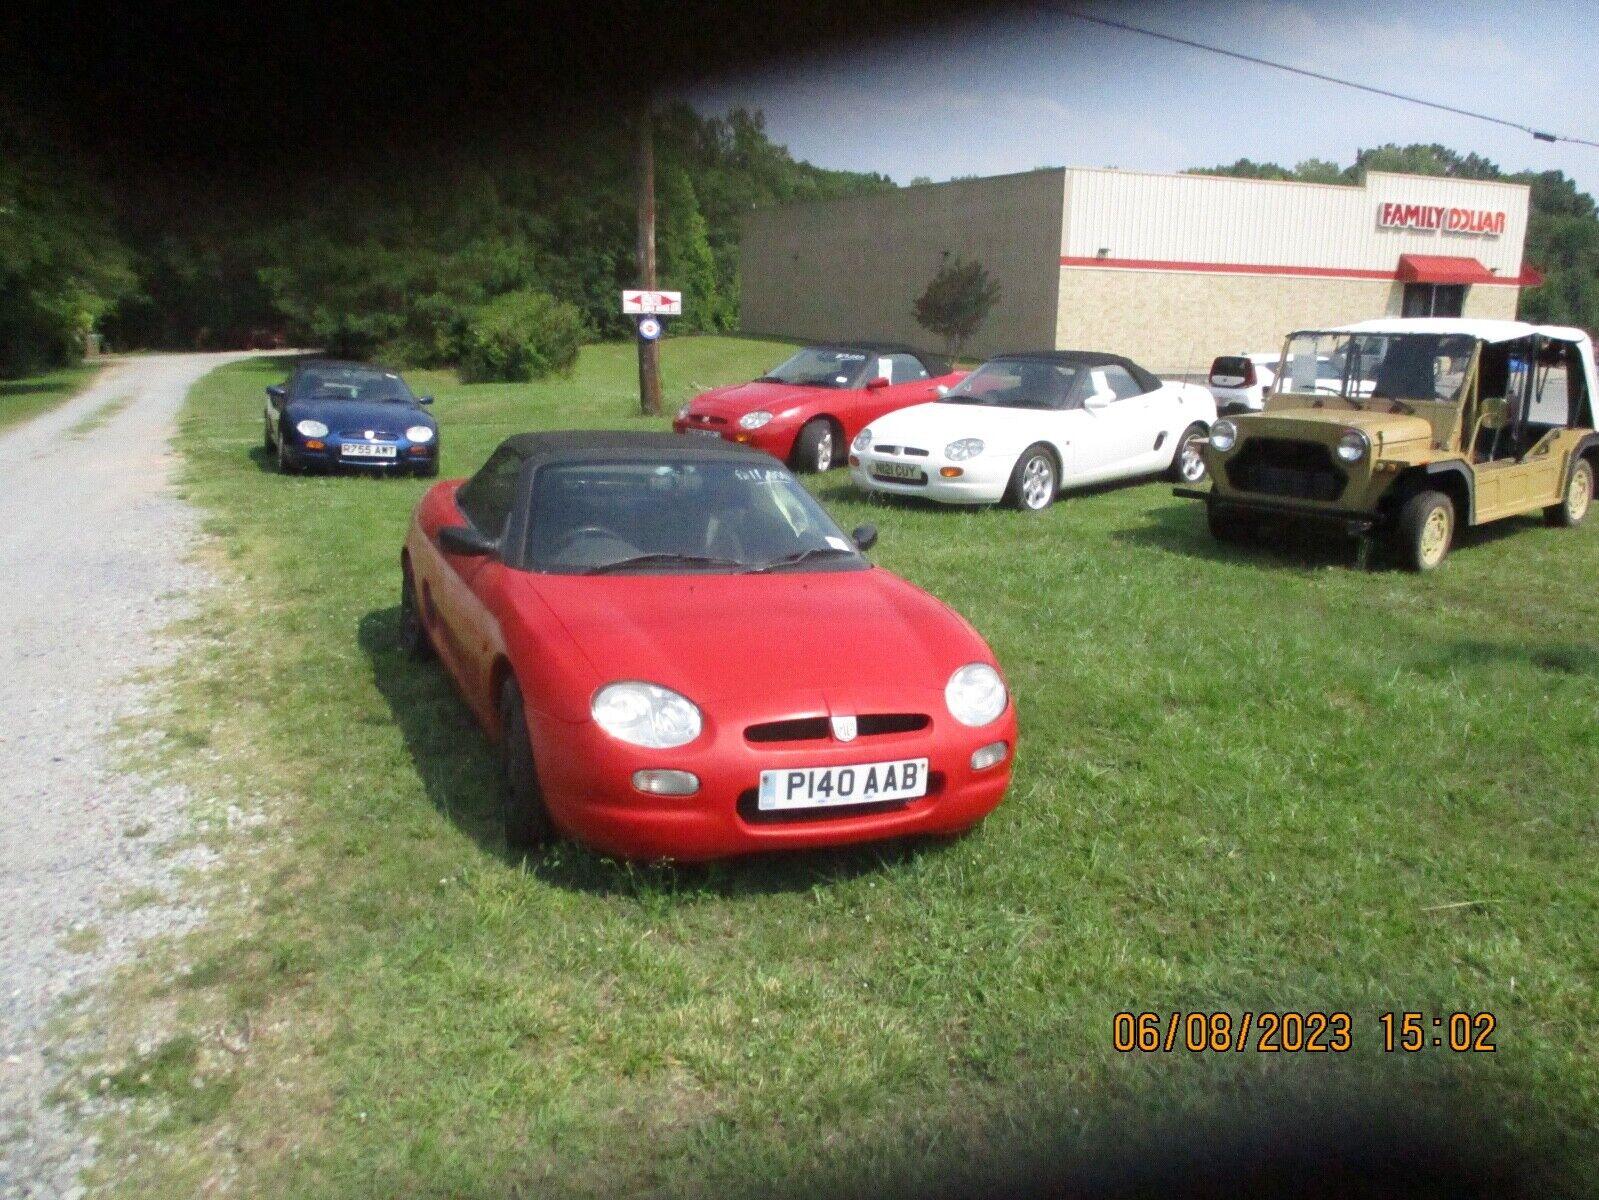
x=674, y=518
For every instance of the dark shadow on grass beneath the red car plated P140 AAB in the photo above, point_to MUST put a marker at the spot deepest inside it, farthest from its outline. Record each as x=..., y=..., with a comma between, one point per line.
x=460, y=769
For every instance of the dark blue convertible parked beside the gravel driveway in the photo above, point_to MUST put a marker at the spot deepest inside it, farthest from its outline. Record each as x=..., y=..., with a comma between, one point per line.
x=349, y=415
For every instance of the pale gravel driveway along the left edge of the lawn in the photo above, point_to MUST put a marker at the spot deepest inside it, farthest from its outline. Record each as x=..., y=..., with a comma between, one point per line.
x=94, y=551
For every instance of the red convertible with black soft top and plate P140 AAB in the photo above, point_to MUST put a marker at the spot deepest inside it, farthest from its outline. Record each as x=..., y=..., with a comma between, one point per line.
x=684, y=657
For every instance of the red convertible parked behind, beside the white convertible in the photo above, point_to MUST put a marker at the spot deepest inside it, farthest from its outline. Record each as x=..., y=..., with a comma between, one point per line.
x=808, y=410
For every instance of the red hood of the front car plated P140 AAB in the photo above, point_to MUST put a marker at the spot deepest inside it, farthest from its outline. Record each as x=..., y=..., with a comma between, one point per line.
x=792, y=638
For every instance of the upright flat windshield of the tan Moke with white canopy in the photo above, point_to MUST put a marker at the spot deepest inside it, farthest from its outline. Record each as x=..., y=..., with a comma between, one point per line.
x=1378, y=366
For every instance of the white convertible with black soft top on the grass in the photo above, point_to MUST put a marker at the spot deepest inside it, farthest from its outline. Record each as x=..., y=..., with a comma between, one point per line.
x=1024, y=426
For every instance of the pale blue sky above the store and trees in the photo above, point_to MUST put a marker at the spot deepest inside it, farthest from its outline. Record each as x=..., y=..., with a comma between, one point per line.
x=1039, y=89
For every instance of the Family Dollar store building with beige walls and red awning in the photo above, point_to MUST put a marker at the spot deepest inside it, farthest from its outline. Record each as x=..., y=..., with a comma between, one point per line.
x=1170, y=270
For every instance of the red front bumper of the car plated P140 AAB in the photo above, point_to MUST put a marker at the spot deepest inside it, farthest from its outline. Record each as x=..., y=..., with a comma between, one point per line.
x=588, y=782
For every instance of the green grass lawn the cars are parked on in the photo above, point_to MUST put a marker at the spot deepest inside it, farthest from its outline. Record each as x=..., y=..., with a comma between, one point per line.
x=1248, y=780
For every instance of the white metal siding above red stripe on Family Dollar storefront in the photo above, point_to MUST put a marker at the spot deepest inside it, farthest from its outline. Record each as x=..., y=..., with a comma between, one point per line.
x=1194, y=218
